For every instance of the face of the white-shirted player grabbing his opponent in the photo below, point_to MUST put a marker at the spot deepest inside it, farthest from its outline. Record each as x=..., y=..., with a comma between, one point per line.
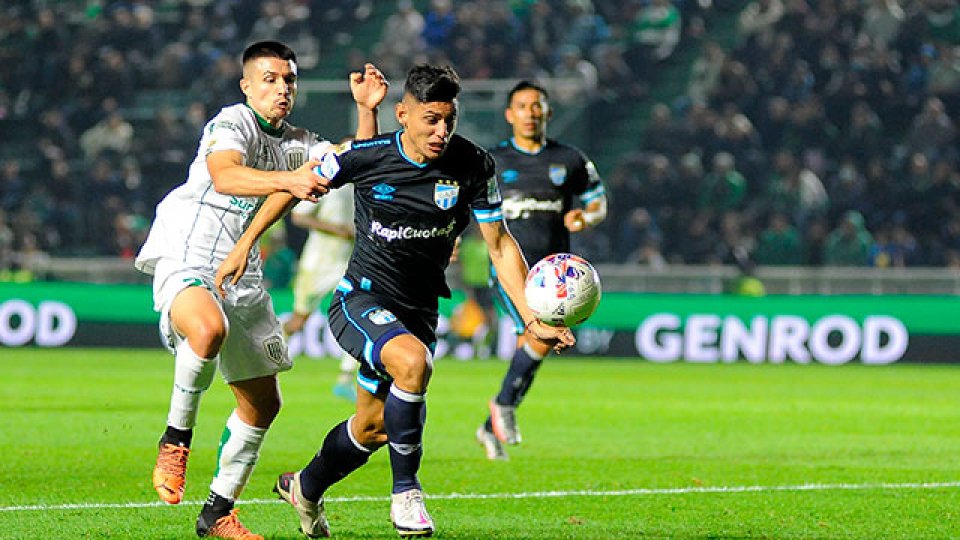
x=270, y=85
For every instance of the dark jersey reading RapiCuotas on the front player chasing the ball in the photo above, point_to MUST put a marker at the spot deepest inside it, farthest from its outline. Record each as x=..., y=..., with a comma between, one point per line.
x=408, y=214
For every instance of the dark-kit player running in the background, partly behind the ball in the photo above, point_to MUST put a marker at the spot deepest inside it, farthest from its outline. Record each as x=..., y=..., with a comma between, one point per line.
x=540, y=180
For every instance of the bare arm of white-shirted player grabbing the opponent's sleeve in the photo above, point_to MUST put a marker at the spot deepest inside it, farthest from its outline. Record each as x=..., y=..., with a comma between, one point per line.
x=231, y=177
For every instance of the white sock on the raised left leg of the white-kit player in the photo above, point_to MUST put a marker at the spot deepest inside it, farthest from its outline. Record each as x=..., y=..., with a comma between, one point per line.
x=192, y=376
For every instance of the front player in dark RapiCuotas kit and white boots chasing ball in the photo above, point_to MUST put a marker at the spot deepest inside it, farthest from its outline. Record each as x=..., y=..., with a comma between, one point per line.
x=414, y=192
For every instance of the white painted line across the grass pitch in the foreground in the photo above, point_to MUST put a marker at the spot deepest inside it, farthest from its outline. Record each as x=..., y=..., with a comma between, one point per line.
x=529, y=495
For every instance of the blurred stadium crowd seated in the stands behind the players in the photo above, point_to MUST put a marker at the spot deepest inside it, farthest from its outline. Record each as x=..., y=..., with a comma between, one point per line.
x=823, y=136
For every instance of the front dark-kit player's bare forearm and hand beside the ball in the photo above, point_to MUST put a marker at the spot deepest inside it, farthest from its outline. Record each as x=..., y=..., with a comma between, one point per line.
x=512, y=270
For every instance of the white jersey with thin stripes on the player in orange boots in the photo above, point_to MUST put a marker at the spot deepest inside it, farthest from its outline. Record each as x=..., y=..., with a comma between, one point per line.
x=197, y=226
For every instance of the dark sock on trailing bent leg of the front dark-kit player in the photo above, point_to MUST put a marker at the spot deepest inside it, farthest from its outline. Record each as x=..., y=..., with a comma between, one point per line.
x=337, y=458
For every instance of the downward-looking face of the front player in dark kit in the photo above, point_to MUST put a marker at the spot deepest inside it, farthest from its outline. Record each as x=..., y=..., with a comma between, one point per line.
x=427, y=127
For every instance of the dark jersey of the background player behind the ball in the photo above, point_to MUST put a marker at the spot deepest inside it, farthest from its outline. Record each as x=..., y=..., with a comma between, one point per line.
x=538, y=189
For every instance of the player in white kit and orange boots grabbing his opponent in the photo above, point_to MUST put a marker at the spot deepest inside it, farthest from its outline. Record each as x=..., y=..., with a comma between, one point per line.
x=246, y=152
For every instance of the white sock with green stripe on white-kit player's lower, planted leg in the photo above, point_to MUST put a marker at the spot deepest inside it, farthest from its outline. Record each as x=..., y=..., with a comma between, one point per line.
x=238, y=455
